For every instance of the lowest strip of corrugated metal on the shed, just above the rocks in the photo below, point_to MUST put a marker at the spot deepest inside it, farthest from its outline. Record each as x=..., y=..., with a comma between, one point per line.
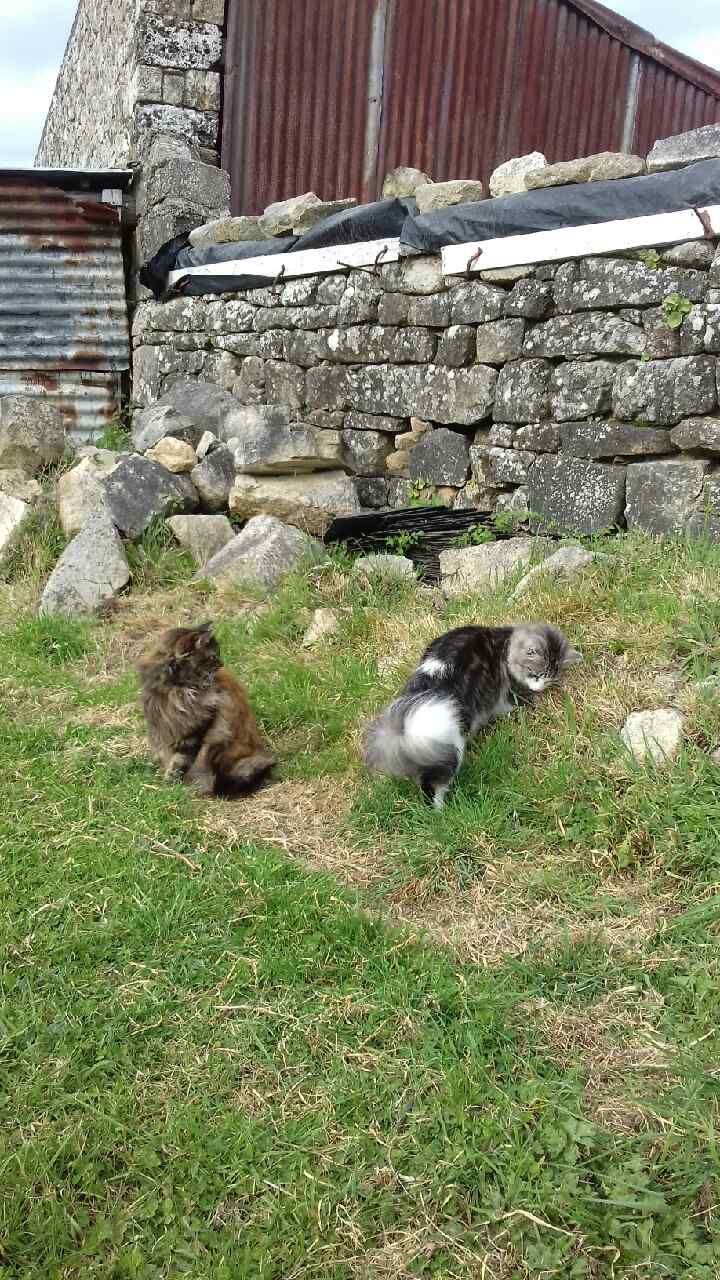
x=86, y=401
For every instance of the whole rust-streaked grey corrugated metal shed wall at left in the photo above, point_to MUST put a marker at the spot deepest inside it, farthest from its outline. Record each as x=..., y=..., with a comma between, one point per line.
x=63, y=313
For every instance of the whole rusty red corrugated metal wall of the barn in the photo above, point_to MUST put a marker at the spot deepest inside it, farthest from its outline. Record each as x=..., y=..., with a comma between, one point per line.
x=329, y=95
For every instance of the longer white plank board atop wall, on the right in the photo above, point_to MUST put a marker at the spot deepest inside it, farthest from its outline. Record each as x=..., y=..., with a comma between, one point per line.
x=578, y=241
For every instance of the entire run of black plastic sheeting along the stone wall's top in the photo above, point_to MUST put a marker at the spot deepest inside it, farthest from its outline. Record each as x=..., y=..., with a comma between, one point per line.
x=548, y=209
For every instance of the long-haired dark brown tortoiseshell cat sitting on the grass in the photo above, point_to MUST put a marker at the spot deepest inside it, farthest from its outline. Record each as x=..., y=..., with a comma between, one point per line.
x=199, y=720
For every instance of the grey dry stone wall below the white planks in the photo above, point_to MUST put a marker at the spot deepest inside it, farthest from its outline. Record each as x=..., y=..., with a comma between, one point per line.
x=586, y=394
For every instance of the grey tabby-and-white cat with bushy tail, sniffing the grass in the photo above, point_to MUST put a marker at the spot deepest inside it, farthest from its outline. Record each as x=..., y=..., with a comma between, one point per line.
x=464, y=682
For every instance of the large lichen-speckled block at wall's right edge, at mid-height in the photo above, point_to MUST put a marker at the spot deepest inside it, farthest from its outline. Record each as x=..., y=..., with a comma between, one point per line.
x=663, y=392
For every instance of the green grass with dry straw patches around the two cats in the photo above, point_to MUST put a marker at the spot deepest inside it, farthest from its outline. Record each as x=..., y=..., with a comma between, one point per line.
x=486, y=1046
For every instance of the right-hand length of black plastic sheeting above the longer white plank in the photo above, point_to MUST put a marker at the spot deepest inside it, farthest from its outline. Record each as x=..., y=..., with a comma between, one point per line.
x=553, y=208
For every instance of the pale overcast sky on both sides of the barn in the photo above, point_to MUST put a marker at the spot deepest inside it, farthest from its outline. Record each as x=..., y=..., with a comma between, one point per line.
x=34, y=35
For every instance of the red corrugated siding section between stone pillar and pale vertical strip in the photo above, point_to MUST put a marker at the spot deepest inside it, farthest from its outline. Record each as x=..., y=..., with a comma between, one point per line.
x=297, y=98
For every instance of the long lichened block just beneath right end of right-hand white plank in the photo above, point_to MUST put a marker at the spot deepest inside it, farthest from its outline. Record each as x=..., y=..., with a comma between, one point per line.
x=613, y=282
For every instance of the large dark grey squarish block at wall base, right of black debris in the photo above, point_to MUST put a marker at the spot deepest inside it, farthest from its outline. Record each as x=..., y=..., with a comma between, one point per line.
x=569, y=496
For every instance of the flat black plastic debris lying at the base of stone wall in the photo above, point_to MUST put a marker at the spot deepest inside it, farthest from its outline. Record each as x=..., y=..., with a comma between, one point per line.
x=418, y=533
